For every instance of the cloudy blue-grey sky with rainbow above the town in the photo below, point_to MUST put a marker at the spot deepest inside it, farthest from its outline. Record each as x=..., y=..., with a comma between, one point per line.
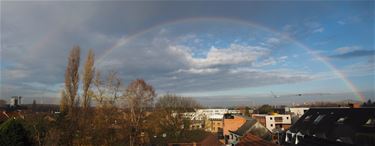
x=220, y=53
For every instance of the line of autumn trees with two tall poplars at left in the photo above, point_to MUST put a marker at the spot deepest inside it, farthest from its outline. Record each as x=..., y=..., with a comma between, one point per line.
x=97, y=109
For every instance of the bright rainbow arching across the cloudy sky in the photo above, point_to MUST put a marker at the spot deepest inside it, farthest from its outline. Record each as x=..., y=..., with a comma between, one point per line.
x=125, y=40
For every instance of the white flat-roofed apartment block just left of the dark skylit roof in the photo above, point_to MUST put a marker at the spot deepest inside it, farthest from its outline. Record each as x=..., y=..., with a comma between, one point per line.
x=275, y=122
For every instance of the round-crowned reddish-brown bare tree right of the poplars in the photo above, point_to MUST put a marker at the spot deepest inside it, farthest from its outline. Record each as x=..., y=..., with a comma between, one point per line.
x=139, y=96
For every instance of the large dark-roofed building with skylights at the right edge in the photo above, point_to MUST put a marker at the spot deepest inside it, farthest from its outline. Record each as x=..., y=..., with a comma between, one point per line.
x=331, y=127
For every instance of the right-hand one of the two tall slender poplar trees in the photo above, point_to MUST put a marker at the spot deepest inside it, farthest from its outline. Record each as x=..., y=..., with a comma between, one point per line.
x=88, y=74
